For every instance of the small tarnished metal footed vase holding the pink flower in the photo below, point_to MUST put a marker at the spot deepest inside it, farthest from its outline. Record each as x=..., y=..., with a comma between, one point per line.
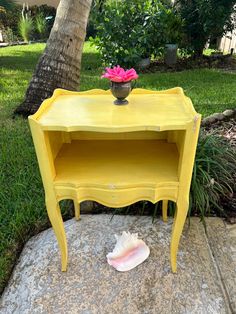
x=121, y=90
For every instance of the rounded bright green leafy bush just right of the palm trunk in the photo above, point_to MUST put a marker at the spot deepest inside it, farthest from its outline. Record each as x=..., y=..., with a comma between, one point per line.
x=128, y=31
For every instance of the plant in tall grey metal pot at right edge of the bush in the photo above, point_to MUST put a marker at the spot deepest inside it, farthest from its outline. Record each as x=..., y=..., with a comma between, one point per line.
x=173, y=34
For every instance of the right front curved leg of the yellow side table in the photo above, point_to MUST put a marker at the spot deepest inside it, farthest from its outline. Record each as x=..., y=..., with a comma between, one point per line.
x=179, y=220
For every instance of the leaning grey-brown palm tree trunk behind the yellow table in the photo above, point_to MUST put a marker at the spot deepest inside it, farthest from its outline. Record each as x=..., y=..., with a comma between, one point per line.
x=59, y=66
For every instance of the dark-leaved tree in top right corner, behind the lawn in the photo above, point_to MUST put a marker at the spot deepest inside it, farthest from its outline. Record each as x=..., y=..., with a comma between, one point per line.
x=206, y=20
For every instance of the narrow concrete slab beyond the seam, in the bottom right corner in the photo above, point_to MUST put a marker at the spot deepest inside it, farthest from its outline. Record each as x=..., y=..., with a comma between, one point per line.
x=222, y=241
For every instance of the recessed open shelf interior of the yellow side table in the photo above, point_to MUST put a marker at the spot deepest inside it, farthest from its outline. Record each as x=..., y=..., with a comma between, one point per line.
x=115, y=164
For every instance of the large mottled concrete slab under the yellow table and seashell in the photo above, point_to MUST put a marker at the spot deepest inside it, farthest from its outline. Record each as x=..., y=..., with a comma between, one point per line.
x=92, y=286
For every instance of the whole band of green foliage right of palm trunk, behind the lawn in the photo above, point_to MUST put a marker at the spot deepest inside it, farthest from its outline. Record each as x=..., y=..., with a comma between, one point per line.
x=126, y=31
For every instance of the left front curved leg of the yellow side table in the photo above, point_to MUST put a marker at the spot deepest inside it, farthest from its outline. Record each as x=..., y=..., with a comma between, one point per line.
x=54, y=214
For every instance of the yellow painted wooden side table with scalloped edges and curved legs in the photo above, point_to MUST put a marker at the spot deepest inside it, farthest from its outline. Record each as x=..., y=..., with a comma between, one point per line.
x=90, y=149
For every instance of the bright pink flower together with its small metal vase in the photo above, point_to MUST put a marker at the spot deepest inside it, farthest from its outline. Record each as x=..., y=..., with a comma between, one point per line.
x=120, y=82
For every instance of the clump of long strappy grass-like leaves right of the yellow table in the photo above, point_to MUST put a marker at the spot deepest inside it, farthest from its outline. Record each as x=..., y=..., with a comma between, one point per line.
x=213, y=175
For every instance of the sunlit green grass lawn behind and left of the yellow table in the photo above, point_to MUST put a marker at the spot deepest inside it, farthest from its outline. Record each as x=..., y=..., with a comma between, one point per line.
x=22, y=209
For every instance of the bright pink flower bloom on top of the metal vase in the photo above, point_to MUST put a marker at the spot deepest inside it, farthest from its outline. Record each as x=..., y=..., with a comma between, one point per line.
x=118, y=74
